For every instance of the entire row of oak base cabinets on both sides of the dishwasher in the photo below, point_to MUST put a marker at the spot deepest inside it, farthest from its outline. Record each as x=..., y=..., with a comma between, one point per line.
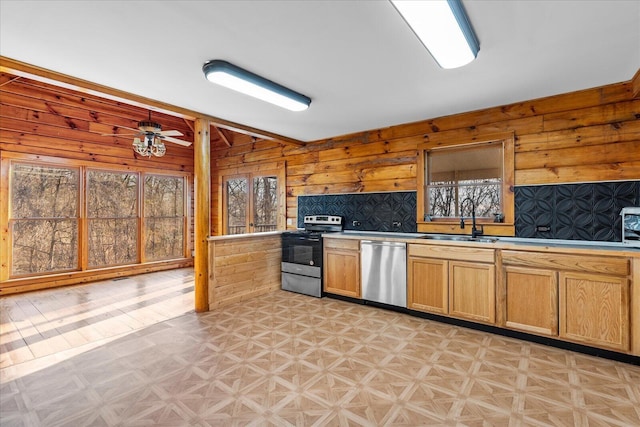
x=582, y=298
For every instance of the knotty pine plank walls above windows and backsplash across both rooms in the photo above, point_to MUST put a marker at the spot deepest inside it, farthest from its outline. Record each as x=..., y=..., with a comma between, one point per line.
x=589, y=135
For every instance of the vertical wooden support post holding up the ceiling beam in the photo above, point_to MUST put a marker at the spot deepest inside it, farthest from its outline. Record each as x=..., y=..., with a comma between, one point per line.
x=202, y=213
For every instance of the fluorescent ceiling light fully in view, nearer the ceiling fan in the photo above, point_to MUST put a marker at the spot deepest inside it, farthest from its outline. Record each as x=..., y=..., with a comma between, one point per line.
x=238, y=79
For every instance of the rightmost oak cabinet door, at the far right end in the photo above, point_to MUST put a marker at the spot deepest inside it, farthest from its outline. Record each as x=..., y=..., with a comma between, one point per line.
x=594, y=310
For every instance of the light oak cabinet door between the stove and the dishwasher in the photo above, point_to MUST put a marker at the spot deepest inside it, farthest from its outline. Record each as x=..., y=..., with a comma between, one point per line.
x=342, y=272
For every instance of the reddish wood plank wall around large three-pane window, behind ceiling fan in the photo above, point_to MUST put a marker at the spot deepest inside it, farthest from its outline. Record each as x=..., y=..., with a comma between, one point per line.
x=40, y=119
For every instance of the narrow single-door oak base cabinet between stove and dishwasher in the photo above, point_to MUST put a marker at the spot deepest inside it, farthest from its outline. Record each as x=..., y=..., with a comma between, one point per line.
x=342, y=267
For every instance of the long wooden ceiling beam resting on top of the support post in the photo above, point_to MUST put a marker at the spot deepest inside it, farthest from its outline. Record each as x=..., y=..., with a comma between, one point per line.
x=22, y=69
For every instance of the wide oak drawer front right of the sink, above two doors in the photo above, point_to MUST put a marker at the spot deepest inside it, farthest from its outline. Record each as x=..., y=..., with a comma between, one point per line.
x=618, y=266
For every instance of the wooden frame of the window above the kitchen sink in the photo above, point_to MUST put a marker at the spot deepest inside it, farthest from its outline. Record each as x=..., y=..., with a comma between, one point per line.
x=451, y=225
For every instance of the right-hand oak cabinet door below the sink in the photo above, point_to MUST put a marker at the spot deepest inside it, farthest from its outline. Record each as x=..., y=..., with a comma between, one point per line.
x=472, y=291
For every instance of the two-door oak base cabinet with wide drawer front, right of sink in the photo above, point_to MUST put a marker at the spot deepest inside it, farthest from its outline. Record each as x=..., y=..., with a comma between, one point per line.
x=580, y=298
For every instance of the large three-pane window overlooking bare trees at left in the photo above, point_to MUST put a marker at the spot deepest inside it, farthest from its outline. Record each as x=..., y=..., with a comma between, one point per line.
x=76, y=218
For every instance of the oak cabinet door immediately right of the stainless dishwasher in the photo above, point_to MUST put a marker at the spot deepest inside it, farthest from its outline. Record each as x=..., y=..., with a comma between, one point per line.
x=428, y=288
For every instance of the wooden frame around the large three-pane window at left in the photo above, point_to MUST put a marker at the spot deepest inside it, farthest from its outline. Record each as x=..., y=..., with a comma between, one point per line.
x=7, y=159
